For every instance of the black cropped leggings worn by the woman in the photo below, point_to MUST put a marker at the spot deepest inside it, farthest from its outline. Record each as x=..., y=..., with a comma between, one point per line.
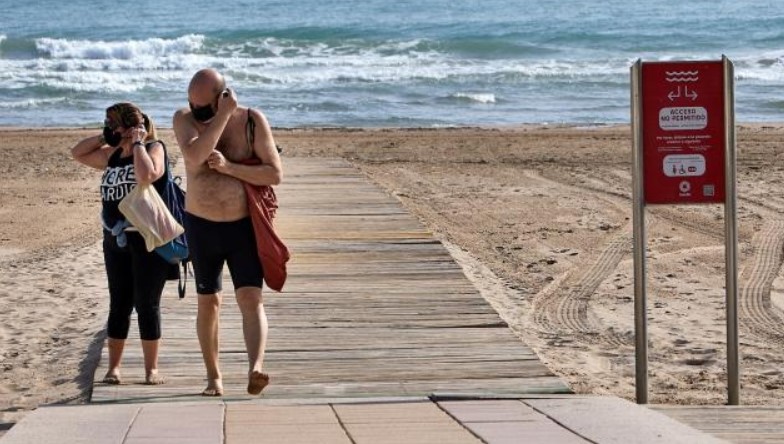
x=136, y=280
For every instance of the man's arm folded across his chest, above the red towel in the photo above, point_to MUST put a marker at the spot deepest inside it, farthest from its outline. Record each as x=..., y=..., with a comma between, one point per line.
x=269, y=172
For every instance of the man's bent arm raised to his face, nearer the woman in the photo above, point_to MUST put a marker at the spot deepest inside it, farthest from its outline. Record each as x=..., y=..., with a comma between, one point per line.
x=195, y=147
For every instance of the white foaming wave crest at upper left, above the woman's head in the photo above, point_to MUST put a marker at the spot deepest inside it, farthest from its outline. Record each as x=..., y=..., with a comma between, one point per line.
x=123, y=50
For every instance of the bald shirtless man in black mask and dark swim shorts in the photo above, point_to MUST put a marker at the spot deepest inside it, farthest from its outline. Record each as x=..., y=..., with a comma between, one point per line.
x=212, y=135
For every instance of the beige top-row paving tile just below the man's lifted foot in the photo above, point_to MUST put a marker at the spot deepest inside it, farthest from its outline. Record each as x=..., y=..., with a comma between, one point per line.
x=279, y=415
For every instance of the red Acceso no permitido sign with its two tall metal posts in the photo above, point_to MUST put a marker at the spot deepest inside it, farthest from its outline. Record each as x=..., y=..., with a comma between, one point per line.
x=683, y=136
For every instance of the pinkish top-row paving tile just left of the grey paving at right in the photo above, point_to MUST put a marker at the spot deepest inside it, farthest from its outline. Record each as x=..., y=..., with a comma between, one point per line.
x=491, y=410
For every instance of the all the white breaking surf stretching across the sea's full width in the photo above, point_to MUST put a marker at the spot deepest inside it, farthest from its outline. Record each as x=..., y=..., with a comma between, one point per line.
x=160, y=64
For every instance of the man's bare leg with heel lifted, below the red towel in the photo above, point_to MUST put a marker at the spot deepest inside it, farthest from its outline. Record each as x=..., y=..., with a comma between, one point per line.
x=254, y=329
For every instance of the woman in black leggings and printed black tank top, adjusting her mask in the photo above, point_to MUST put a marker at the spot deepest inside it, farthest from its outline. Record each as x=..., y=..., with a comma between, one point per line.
x=129, y=154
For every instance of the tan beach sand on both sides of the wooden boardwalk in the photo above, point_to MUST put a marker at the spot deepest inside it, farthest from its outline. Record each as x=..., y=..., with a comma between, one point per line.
x=539, y=217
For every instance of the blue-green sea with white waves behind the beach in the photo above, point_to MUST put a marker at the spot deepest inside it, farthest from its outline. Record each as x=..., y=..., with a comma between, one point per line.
x=377, y=63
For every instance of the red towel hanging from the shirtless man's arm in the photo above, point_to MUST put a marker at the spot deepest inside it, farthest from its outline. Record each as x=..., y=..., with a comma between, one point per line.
x=273, y=253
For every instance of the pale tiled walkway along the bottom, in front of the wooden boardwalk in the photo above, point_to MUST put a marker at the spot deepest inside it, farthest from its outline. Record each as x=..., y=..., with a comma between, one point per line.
x=565, y=420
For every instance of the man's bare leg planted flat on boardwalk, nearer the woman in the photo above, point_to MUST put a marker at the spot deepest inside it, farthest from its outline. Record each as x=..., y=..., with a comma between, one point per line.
x=207, y=328
